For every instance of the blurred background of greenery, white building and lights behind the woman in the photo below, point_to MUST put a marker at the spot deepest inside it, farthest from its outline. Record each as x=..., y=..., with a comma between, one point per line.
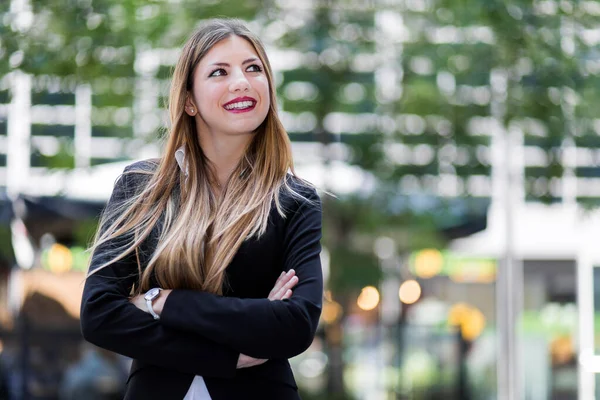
x=458, y=136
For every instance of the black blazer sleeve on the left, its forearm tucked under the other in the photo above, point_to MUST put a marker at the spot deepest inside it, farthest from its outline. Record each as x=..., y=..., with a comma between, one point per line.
x=110, y=321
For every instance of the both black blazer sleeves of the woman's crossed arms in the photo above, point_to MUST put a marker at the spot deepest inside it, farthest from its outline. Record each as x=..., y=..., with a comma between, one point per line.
x=201, y=333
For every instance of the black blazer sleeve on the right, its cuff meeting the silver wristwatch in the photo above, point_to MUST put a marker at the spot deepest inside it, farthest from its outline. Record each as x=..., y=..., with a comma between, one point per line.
x=259, y=327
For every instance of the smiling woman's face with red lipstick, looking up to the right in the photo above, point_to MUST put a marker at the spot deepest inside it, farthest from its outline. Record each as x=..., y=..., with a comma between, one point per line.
x=230, y=94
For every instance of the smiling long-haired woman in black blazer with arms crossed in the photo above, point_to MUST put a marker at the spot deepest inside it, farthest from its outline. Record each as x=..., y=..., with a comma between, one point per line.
x=221, y=228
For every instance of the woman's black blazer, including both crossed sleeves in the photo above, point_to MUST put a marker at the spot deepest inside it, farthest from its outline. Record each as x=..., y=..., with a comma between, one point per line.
x=201, y=333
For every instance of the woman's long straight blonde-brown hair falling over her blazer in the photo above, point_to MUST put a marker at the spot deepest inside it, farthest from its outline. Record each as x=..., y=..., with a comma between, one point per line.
x=199, y=233
